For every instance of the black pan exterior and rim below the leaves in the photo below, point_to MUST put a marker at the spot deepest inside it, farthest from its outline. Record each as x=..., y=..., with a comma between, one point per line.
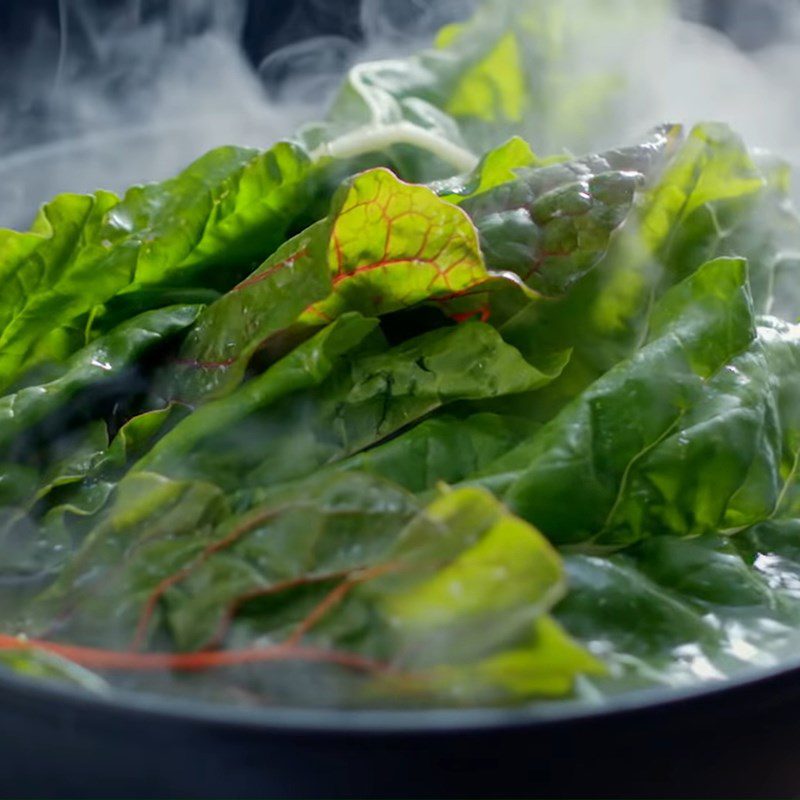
x=737, y=739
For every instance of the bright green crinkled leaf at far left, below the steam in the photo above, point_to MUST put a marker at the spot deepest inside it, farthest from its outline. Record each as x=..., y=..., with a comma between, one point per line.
x=204, y=228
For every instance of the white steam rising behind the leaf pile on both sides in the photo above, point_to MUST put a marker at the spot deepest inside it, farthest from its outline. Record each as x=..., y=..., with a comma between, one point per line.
x=112, y=99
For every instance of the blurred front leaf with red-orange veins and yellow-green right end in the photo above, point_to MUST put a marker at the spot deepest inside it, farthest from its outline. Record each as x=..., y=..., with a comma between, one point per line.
x=432, y=604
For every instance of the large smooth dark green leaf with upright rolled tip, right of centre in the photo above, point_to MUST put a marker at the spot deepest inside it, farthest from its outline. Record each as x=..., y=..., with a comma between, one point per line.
x=569, y=477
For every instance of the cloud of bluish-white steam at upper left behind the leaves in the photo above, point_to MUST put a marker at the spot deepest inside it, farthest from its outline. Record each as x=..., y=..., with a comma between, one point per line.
x=128, y=100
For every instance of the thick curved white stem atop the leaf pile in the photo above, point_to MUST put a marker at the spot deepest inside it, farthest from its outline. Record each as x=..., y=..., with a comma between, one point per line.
x=372, y=138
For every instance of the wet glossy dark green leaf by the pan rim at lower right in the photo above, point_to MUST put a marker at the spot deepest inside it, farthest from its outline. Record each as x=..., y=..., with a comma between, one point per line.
x=675, y=611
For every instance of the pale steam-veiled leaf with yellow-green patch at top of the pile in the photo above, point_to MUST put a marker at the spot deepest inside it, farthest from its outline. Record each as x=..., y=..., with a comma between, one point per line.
x=511, y=69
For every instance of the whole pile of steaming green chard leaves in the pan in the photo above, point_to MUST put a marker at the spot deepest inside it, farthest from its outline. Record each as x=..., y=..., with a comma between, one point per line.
x=325, y=425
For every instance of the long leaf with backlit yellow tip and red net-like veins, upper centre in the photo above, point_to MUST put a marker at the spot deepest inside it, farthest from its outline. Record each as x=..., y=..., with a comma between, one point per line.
x=385, y=246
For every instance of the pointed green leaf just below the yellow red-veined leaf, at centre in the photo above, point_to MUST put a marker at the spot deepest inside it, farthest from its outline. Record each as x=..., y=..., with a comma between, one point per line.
x=368, y=395
